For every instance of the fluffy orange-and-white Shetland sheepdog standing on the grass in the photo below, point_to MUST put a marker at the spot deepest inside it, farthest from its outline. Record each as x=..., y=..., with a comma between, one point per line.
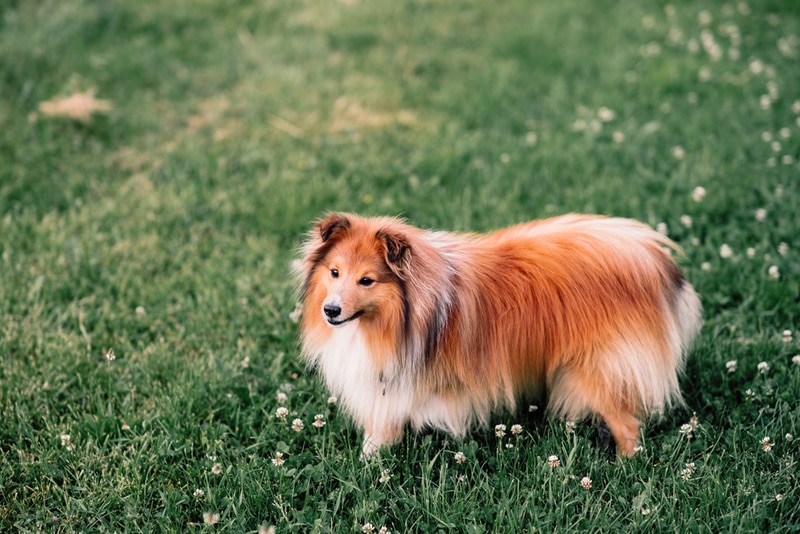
x=439, y=330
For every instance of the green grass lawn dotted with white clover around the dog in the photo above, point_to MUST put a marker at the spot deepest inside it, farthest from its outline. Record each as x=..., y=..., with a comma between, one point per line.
x=145, y=290
